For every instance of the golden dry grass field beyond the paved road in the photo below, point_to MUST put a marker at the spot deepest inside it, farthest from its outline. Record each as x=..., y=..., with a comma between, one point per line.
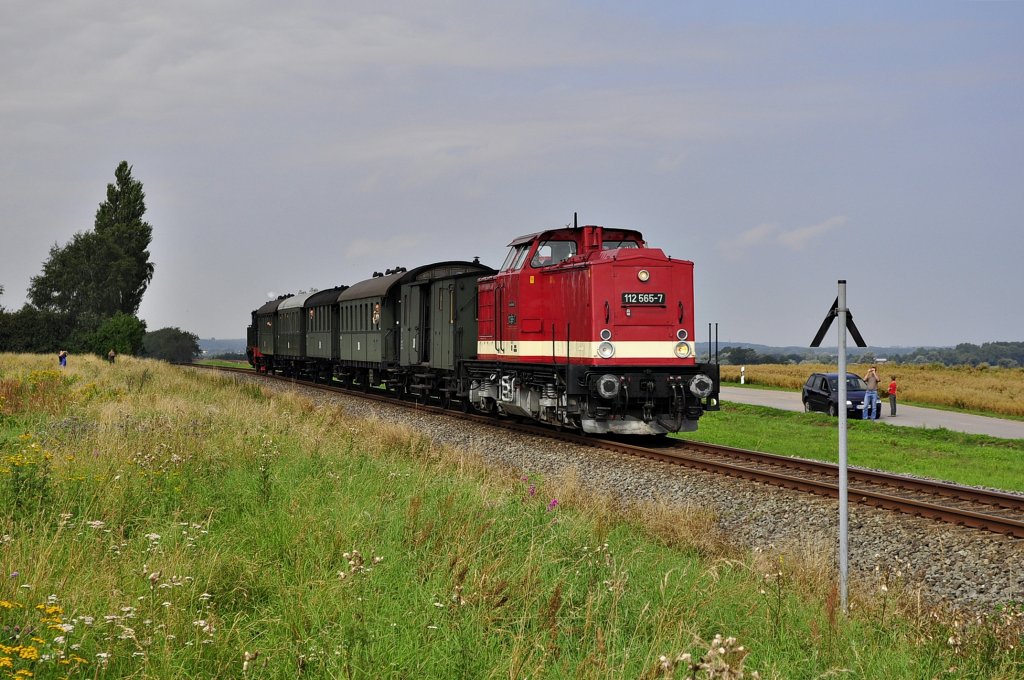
x=991, y=391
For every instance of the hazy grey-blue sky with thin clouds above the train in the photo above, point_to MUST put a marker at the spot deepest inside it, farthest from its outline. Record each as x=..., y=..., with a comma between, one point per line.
x=780, y=147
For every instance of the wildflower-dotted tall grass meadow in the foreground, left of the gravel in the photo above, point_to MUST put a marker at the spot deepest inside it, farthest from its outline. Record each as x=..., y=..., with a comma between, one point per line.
x=160, y=524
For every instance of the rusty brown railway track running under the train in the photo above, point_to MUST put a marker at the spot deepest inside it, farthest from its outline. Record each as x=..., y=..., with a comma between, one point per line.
x=995, y=512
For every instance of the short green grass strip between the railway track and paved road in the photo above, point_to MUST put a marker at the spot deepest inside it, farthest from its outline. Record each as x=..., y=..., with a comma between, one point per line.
x=966, y=459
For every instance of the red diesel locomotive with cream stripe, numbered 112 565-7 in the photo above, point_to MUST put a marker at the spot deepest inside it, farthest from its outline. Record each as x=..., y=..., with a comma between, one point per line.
x=589, y=328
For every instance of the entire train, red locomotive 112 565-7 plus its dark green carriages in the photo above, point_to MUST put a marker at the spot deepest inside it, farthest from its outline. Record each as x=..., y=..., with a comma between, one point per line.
x=584, y=328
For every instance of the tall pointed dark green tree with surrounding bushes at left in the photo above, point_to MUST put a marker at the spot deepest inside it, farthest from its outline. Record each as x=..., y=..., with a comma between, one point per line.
x=88, y=296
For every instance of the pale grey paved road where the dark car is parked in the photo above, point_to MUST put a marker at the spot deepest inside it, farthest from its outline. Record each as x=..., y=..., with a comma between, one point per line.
x=907, y=416
